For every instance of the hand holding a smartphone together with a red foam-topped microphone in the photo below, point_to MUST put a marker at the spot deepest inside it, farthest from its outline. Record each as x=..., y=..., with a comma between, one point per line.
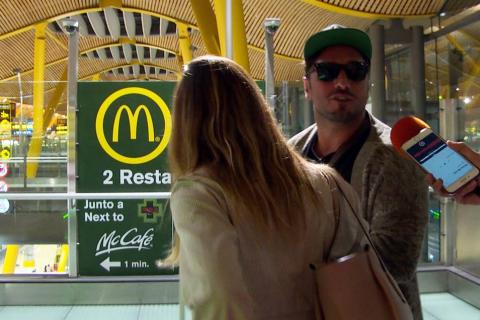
x=449, y=171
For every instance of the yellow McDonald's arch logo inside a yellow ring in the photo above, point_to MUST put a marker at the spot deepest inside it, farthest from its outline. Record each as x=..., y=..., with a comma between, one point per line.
x=133, y=121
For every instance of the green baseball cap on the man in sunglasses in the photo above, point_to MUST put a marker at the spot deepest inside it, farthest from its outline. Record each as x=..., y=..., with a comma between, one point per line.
x=335, y=35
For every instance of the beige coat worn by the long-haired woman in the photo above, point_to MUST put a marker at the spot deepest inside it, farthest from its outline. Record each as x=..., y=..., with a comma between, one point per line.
x=228, y=271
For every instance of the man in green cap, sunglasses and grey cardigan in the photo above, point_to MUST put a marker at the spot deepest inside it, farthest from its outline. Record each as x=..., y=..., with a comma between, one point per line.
x=392, y=191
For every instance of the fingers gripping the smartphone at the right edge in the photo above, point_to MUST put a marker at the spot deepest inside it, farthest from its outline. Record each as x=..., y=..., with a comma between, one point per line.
x=468, y=194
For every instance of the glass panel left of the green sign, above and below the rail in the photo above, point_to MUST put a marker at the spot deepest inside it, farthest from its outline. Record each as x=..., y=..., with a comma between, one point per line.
x=33, y=233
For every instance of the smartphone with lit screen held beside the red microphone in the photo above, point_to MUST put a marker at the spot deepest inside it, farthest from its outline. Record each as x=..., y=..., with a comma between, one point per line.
x=435, y=157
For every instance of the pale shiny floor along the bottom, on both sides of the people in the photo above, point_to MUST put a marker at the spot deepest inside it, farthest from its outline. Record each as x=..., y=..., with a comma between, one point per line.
x=436, y=306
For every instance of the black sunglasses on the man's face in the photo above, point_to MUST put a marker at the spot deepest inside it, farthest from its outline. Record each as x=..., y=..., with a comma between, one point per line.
x=328, y=71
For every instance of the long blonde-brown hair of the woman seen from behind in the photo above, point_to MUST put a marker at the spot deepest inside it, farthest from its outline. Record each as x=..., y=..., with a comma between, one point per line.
x=221, y=122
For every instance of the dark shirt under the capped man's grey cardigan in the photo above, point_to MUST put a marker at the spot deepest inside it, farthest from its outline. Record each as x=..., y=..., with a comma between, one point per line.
x=342, y=159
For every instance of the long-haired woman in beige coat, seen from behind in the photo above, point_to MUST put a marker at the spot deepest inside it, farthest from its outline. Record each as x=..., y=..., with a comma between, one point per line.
x=250, y=214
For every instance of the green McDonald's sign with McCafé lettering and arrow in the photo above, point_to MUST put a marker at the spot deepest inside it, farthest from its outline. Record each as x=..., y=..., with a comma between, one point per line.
x=123, y=131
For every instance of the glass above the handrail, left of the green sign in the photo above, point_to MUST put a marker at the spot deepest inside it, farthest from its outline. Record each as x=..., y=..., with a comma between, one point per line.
x=29, y=168
